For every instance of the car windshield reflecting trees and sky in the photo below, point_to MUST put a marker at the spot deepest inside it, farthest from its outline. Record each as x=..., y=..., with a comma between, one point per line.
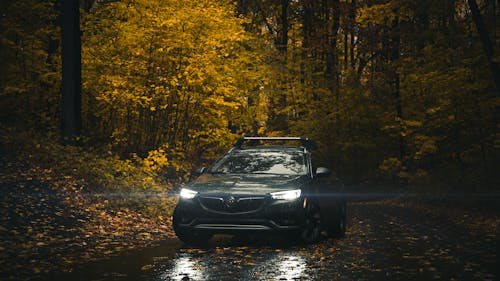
x=280, y=162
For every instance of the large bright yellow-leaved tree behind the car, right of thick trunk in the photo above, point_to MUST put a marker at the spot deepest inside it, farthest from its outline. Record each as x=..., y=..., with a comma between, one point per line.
x=182, y=76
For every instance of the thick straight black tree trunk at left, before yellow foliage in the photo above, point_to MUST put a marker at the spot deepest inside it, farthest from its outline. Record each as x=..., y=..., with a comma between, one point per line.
x=71, y=71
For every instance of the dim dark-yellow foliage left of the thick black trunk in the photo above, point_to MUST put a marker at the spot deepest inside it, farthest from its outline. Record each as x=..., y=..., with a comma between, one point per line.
x=29, y=75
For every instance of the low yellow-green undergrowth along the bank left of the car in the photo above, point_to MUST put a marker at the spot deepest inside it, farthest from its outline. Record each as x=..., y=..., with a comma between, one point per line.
x=122, y=183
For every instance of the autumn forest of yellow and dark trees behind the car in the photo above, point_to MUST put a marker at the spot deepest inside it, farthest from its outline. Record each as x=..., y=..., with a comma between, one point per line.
x=395, y=92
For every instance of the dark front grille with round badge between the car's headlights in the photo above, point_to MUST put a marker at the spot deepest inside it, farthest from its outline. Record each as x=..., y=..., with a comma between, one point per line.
x=232, y=204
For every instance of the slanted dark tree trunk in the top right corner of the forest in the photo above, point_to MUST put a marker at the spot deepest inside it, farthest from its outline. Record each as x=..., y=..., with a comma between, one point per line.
x=485, y=40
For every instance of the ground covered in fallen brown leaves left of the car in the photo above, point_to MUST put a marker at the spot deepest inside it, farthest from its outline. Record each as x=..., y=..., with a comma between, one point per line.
x=49, y=224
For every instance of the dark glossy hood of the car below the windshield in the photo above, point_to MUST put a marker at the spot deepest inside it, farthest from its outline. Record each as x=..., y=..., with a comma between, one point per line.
x=246, y=184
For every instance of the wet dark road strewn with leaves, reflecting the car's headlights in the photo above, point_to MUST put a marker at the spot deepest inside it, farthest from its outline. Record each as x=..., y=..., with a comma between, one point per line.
x=385, y=241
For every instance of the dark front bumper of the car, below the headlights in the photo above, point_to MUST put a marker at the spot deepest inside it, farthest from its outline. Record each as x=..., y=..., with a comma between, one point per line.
x=272, y=216
